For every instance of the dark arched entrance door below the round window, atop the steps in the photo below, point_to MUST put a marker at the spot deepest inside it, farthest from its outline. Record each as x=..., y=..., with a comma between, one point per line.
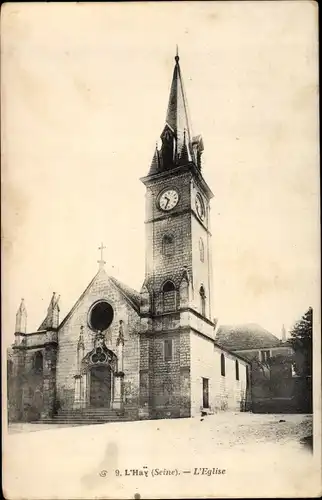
x=100, y=388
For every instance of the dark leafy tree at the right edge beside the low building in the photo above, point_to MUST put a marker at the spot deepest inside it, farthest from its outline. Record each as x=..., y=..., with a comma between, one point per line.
x=301, y=341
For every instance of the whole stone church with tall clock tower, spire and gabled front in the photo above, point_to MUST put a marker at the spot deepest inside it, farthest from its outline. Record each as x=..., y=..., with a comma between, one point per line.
x=120, y=354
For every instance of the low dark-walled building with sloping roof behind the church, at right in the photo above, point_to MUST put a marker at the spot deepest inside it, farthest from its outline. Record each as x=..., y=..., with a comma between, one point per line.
x=273, y=384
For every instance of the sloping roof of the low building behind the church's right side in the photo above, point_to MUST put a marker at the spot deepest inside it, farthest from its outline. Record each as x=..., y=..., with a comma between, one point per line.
x=248, y=336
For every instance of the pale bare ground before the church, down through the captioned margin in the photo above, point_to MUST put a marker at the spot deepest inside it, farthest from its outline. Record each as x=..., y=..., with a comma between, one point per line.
x=51, y=461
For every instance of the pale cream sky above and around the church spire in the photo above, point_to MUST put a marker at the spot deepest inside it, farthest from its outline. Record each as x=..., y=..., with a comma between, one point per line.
x=84, y=97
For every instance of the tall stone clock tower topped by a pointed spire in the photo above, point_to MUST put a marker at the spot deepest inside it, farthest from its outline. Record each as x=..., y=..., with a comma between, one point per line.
x=177, y=292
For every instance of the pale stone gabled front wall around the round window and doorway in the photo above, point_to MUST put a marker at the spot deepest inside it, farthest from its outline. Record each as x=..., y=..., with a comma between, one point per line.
x=68, y=335
